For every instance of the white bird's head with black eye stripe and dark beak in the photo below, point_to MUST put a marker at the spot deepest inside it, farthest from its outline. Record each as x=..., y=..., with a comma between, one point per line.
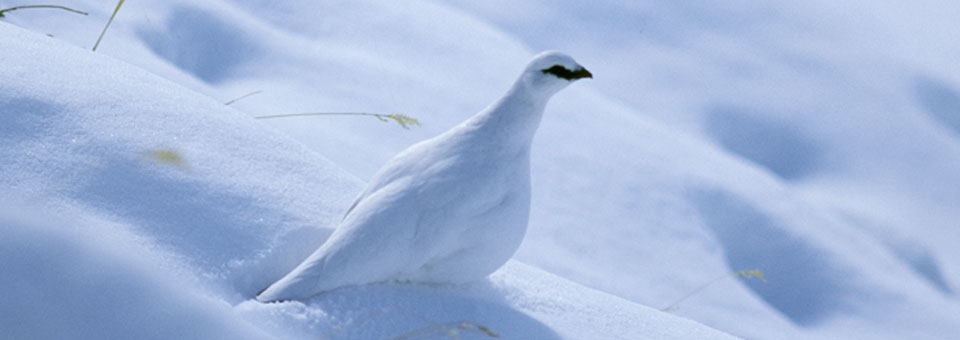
x=550, y=72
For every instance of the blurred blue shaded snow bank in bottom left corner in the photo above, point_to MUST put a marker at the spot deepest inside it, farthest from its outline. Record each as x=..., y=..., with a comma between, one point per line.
x=66, y=284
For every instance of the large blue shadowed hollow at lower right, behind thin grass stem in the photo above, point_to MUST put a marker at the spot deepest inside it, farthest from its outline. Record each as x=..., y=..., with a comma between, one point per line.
x=803, y=282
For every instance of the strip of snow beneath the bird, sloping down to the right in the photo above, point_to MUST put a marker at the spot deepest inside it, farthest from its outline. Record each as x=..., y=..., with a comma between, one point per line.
x=519, y=302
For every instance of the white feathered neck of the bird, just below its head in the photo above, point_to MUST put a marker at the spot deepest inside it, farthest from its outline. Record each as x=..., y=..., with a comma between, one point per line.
x=513, y=120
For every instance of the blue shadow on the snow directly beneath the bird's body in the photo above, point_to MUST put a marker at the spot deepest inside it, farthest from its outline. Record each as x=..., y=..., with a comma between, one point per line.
x=402, y=311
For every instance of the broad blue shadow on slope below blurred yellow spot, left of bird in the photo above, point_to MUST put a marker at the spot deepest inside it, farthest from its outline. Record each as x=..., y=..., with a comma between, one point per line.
x=202, y=223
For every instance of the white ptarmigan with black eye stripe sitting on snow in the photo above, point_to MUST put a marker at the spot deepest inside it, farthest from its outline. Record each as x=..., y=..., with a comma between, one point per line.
x=450, y=209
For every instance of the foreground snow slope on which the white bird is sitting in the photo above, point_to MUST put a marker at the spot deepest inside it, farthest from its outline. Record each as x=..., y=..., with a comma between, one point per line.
x=135, y=208
